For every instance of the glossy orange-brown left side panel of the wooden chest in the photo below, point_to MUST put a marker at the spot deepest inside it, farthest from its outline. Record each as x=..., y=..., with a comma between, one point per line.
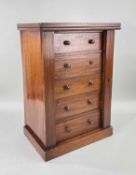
x=33, y=83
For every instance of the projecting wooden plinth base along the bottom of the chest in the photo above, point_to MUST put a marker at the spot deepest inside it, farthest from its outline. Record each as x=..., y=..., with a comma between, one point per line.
x=68, y=145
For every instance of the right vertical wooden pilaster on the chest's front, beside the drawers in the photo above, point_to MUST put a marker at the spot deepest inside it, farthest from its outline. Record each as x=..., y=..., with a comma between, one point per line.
x=107, y=77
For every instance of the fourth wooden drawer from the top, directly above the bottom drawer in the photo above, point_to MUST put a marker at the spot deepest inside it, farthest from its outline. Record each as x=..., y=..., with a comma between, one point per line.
x=77, y=104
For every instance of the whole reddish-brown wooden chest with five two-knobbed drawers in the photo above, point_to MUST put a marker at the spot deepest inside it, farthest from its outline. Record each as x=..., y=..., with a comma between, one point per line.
x=67, y=70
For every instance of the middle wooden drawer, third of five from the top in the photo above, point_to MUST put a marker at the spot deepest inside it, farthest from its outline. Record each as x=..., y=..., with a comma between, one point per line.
x=74, y=86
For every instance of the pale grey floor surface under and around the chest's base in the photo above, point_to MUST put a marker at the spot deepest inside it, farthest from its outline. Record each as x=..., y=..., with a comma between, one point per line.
x=115, y=155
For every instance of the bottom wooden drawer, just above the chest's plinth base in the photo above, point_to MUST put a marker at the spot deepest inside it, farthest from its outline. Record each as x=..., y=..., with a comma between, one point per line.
x=83, y=123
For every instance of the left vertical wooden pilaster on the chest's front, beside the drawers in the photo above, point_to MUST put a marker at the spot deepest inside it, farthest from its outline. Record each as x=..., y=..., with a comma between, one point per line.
x=48, y=55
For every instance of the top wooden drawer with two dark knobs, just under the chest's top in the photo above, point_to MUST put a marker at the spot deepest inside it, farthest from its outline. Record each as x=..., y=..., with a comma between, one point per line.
x=72, y=42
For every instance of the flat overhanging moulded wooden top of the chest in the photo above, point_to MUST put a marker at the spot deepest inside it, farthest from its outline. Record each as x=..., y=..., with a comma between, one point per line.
x=68, y=26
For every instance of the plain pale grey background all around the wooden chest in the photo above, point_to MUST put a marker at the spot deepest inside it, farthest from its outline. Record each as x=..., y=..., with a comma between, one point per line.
x=115, y=155
